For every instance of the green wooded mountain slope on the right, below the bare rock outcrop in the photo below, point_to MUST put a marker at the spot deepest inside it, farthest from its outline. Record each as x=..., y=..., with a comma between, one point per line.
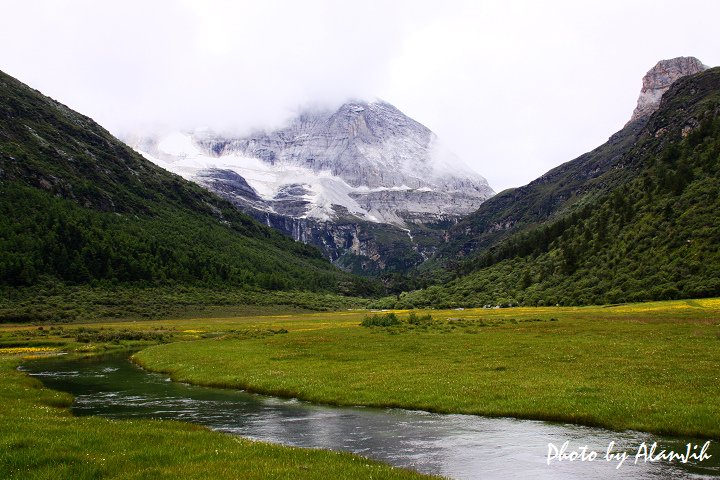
x=645, y=225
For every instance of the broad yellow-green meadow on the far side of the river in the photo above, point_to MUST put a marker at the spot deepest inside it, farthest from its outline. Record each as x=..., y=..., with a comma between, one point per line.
x=652, y=367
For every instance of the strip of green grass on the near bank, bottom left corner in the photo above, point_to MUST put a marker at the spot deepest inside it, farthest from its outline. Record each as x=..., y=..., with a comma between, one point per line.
x=40, y=439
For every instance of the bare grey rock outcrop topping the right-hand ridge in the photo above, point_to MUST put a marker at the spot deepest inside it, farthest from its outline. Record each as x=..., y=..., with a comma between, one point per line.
x=658, y=80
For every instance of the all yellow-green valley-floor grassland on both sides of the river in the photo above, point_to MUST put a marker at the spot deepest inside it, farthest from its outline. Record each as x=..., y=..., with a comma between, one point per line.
x=652, y=367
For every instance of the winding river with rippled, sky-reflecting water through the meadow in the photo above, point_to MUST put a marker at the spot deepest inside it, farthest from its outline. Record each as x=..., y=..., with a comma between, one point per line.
x=456, y=446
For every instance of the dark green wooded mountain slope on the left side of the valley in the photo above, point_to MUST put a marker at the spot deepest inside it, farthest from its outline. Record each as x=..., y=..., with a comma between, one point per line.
x=77, y=206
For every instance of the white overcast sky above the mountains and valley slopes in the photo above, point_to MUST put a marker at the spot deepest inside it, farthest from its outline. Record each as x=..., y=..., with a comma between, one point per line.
x=513, y=87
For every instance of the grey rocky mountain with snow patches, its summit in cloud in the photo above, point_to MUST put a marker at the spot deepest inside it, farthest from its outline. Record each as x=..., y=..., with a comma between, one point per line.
x=364, y=163
